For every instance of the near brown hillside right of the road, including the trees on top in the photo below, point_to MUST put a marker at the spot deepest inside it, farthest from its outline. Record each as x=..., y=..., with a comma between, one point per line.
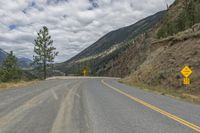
x=156, y=58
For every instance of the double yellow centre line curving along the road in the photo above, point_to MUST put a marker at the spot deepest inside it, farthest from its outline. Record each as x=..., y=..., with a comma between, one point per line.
x=171, y=116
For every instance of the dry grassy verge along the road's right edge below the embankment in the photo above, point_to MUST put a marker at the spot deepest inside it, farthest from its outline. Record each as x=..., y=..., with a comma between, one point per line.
x=182, y=93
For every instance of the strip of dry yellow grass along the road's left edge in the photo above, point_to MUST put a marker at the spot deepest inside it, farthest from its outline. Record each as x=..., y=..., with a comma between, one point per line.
x=16, y=84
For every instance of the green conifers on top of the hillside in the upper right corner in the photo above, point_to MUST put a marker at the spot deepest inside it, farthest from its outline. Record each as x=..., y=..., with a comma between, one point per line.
x=189, y=16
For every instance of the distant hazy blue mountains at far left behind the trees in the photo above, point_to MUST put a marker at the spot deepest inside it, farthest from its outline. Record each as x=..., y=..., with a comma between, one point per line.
x=22, y=62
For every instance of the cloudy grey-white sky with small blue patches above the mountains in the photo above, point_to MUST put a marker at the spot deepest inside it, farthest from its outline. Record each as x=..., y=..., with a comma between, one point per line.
x=73, y=24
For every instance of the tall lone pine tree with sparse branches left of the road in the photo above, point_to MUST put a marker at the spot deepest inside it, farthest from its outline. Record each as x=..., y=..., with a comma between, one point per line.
x=44, y=50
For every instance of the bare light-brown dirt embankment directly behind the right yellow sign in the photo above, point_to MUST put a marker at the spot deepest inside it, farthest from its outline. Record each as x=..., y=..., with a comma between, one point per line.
x=166, y=59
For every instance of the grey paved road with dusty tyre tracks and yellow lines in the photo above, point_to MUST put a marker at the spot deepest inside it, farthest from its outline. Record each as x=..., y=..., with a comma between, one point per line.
x=93, y=105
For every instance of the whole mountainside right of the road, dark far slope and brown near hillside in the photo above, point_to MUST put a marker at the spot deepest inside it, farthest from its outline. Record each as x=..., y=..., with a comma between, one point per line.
x=153, y=56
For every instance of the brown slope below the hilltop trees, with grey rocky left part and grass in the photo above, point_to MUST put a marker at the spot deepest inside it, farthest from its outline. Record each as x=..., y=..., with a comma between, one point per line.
x=156, y=64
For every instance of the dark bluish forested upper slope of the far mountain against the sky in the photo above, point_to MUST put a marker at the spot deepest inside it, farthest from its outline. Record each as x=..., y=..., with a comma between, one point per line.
x=118, y=36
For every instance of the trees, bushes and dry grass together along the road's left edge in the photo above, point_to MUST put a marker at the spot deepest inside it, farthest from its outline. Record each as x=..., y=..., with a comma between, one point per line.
x=11, y=75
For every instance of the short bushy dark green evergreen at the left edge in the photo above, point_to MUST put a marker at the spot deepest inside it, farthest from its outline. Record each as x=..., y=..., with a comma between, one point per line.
x=9, y=70
